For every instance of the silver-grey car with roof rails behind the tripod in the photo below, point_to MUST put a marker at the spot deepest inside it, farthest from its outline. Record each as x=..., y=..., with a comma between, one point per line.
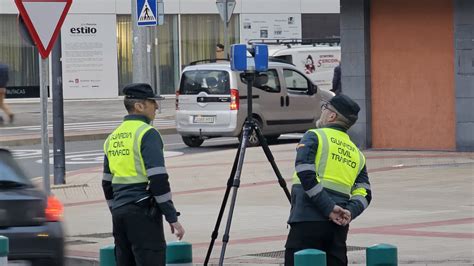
x=212, y=102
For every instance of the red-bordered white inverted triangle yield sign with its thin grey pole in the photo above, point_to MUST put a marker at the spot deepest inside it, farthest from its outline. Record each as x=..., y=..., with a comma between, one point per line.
x=43, y=19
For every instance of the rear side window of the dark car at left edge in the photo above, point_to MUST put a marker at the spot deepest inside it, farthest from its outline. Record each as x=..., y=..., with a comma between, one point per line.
x=10, y=173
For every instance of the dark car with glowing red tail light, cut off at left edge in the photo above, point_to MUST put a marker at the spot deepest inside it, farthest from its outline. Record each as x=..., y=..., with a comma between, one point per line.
x=29, y=218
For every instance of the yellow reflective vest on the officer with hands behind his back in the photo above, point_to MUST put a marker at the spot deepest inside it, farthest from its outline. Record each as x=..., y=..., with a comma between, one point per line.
x=338, y=161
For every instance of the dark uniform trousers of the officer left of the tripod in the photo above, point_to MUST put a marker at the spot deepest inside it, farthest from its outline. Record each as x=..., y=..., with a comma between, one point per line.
x=139, y=236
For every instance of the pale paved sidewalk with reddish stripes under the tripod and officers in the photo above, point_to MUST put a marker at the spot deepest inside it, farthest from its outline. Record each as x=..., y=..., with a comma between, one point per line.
x=422, y=203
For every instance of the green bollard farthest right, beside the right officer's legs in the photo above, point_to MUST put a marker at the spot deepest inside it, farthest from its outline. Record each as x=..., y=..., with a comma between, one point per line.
x=382, y=255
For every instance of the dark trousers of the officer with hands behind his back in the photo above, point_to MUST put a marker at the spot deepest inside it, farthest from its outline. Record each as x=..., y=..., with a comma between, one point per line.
x=325, y=236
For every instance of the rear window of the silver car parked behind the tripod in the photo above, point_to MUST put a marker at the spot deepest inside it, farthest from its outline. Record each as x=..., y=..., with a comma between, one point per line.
x=209, y=81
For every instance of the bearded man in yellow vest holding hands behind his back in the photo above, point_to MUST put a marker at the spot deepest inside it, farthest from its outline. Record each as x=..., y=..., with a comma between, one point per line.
x=330, y=184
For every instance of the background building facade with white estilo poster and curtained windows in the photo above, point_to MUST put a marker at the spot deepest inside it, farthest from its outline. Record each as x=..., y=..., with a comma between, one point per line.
x=96, y=40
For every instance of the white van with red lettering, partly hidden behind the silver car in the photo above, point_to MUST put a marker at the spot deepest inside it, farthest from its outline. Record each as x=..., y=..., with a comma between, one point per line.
x=316, y=61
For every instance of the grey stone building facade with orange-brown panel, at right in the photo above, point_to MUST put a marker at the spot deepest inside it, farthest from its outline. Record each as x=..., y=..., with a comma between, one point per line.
x=410, y=65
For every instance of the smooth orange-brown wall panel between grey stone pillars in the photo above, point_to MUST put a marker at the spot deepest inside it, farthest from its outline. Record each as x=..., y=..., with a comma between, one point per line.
x=412, y=62
